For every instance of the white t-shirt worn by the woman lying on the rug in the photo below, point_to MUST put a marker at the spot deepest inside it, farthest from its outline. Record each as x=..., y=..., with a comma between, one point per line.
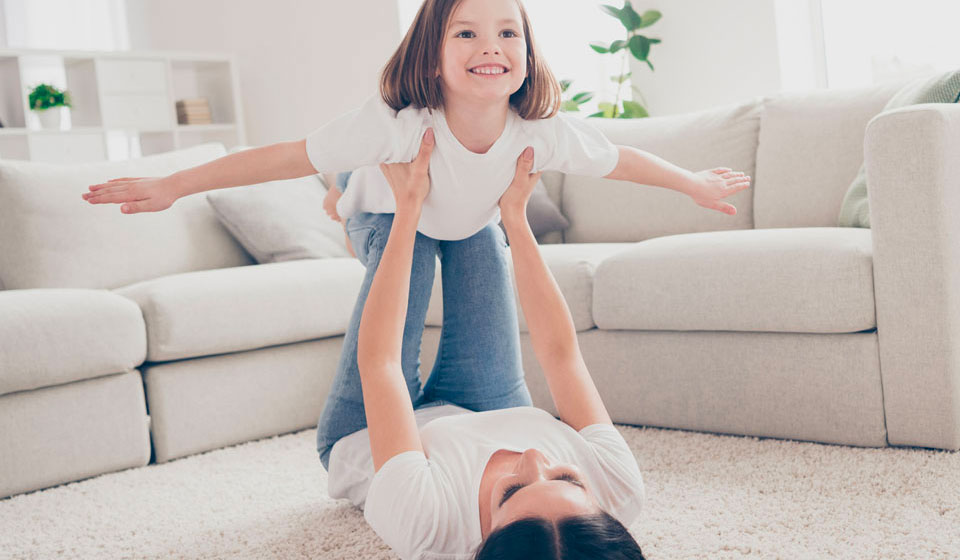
x=429, y=507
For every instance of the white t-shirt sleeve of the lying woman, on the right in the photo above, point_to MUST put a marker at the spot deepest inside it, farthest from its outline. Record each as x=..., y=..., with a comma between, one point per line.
x=623, y=492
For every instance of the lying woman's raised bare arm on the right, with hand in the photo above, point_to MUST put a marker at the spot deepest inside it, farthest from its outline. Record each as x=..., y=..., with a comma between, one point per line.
x=548, y=318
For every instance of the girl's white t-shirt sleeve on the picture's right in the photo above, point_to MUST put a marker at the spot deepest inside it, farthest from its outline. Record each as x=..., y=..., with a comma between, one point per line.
x=573, y=145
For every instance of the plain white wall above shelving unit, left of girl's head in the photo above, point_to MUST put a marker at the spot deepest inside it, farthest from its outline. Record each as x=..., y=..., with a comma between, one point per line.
x=301, y=63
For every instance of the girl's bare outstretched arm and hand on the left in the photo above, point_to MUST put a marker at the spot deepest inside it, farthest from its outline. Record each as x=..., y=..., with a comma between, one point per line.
x=284, y=160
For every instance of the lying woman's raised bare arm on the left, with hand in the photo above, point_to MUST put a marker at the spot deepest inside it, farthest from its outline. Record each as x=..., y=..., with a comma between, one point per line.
x=390, y=419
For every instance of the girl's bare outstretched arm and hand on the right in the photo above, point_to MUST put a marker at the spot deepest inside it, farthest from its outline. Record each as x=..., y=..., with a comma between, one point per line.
x=706, y=188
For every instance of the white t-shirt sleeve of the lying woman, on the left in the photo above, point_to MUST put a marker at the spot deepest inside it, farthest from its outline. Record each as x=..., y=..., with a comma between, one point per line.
x=404, y=505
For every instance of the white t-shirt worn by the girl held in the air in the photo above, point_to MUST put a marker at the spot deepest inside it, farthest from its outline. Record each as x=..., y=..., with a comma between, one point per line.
x=465, y=186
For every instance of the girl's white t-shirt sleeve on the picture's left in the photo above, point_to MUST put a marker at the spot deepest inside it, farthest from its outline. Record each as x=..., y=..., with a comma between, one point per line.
x=372, y=134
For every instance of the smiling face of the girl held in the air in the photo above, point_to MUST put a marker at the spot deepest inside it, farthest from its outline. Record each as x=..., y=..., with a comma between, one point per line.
x=484, y=55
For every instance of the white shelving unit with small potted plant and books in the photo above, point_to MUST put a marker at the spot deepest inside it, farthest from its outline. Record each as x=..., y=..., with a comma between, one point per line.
x=124, y=103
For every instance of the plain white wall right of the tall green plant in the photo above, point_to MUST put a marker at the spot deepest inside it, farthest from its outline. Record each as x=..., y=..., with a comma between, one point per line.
x=713, y=53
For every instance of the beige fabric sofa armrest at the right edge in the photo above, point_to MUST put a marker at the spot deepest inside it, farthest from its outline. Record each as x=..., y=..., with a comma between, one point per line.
x=912, y=158
